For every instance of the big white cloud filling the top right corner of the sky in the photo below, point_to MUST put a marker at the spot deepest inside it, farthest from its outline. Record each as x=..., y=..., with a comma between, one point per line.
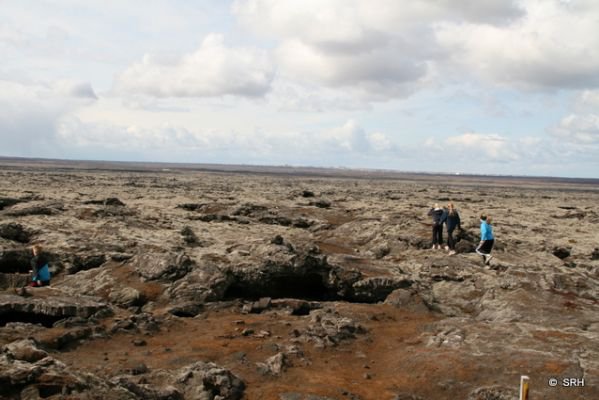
x=554, y=46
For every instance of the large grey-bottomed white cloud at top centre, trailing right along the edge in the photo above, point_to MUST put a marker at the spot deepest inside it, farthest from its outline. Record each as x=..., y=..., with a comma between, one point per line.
x=382, y=50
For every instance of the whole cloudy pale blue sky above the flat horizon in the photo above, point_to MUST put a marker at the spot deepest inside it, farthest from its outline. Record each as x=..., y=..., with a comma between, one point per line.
x=454, y=86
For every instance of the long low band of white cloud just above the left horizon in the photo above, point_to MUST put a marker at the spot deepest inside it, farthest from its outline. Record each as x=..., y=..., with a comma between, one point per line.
x=320, y=147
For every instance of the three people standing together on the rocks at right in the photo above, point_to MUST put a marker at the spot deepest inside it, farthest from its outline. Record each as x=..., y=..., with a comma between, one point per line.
x=450, y=218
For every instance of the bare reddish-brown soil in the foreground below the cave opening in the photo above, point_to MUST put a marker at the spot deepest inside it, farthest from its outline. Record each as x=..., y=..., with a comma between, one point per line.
x=389, y=359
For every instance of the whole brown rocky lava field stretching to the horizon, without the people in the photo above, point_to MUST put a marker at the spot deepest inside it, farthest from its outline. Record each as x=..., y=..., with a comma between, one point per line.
x=206, y=285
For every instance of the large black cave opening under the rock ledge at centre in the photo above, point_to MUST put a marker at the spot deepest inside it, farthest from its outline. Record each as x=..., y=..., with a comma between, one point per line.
x=305, y=286
